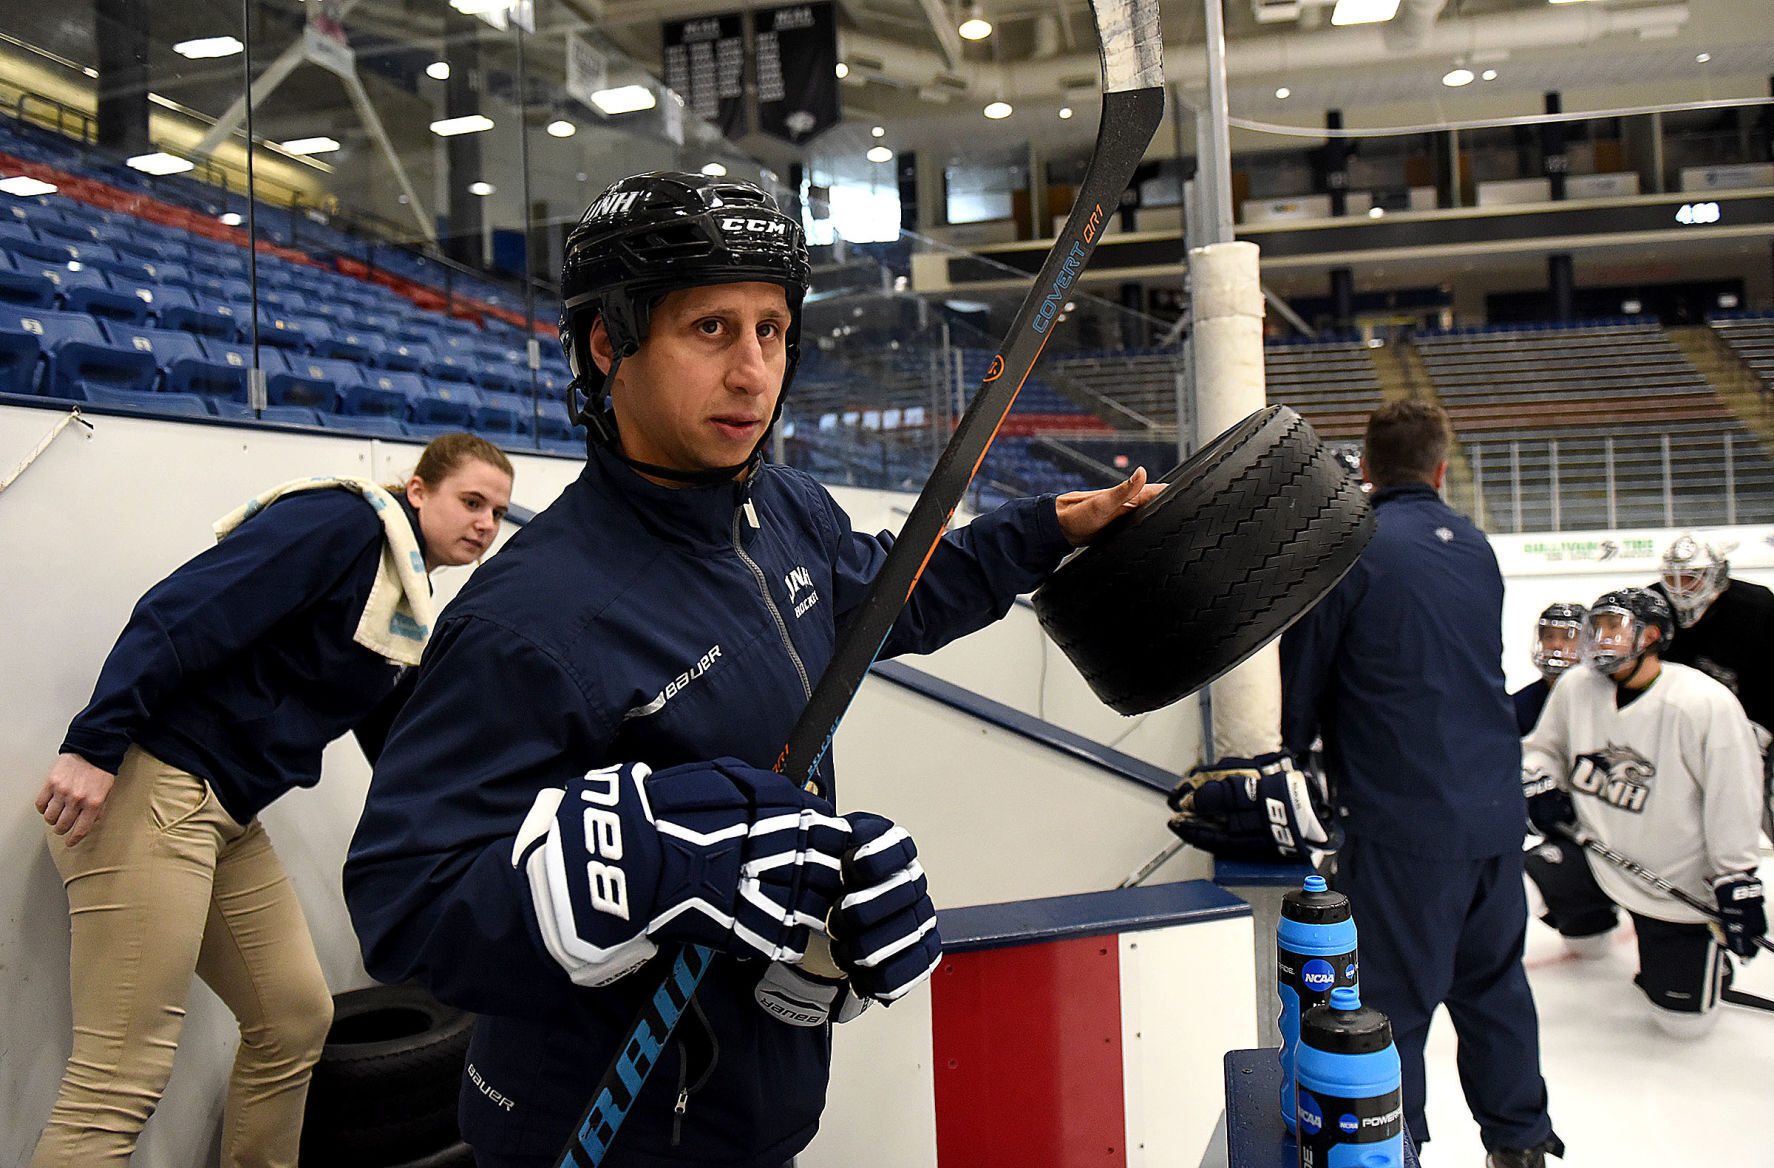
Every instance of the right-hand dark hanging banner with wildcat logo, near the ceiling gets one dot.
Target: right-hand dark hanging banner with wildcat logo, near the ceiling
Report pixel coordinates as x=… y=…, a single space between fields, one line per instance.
x=796 y=63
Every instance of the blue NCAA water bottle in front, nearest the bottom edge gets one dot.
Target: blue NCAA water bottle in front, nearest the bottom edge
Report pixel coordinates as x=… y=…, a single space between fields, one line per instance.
x=1351 y=1107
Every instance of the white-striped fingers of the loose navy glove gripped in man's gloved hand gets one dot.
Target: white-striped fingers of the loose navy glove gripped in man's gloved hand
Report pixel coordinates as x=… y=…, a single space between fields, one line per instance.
x=884 y=931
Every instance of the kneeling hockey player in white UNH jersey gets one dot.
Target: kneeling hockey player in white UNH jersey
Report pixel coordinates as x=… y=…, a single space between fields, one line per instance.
x=1656 y=761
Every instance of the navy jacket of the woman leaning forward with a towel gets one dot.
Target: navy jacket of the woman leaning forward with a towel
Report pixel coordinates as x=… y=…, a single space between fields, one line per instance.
x=240 y=667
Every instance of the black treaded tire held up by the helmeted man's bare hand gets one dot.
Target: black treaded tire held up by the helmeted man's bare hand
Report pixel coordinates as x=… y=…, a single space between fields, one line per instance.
x=1250 y=535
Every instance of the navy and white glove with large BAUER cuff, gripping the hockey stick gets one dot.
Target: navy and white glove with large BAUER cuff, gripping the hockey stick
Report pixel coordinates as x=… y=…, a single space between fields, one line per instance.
x=719 y=855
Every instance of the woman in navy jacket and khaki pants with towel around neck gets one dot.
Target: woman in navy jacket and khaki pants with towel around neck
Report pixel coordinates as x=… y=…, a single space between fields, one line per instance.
x=221 y=693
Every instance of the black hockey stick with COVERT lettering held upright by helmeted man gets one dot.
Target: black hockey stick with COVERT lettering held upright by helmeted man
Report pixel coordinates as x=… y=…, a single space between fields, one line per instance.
x=1131 y=49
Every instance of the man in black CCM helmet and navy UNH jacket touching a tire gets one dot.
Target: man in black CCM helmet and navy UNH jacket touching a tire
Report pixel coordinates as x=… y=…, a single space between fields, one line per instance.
x=583 y=777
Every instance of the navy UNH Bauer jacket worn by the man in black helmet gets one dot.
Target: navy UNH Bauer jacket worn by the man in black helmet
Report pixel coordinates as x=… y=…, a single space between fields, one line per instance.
x=631 y=624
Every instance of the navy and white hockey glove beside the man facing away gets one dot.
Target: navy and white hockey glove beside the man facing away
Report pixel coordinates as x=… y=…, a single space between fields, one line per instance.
x=1255 y=809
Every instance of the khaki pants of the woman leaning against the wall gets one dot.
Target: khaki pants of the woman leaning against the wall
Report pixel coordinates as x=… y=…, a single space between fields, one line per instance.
x=164 y=887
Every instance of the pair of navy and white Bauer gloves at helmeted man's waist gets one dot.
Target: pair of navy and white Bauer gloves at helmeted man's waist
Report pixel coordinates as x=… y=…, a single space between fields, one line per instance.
x=737 y=860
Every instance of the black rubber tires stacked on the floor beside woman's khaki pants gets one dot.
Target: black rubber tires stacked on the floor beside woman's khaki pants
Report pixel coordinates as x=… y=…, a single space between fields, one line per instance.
x=389 y=1078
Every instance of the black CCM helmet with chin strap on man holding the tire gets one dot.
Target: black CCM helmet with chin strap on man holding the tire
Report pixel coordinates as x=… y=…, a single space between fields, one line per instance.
x=655 y=233
